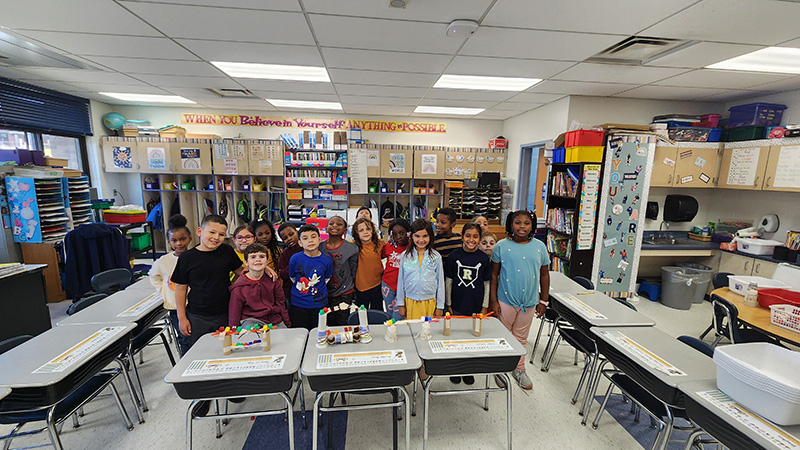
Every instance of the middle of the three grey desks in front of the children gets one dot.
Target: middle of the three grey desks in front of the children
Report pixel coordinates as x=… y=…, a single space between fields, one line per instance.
x=378 y=366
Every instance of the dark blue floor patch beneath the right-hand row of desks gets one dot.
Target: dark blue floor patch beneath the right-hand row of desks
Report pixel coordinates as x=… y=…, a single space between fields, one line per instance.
x=641 y=431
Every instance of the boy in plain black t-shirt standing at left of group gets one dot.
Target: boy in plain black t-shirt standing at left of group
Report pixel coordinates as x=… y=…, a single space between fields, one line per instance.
x=206 y=270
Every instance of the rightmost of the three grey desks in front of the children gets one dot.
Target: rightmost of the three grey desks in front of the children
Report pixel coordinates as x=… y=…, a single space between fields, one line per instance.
x=495 y=352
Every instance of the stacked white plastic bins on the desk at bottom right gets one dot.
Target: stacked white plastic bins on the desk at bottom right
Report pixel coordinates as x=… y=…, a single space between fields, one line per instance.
x=763 y=378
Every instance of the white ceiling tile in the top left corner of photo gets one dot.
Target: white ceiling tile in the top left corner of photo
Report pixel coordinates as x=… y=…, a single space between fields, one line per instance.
x=82 y=16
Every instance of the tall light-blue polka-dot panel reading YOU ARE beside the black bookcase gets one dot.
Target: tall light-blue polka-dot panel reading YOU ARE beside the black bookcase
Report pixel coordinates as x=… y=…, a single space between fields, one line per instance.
x=626 y=181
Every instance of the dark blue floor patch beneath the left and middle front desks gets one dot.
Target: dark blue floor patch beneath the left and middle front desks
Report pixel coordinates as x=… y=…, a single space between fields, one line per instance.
x=272 y=432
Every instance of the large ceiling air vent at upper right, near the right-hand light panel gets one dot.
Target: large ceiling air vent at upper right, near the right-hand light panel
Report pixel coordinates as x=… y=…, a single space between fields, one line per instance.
x=638 y=50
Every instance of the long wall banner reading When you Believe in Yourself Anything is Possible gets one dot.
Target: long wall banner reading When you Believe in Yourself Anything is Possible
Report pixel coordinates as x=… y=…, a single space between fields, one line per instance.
x=247 y=120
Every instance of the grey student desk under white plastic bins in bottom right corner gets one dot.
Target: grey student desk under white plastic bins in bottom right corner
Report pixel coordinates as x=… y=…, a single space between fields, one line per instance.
x=731 y=424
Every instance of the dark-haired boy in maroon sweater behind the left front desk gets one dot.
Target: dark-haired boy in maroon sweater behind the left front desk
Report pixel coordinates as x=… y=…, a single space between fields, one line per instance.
x=255 y=296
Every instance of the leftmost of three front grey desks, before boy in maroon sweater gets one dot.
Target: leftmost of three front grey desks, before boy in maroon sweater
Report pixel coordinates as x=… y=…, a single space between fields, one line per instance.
x=205 y=373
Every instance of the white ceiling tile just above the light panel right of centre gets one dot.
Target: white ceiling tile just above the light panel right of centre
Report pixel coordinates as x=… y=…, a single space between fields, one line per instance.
x=505 y=67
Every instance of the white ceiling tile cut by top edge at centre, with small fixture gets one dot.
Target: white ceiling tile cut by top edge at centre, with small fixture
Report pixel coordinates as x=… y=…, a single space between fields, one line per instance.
x=443 y=11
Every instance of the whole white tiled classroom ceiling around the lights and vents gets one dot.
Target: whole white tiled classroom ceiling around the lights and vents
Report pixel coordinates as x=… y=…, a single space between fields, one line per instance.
x=384 y=60
